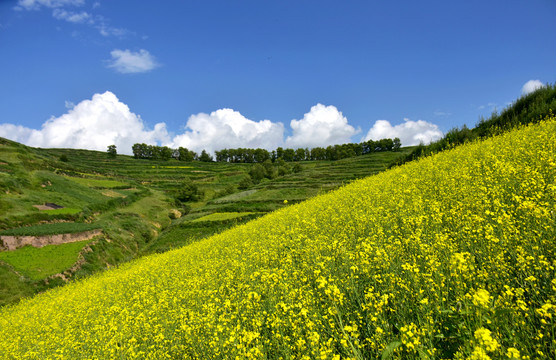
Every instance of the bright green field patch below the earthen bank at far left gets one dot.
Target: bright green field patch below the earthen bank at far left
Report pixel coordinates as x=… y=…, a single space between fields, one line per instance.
x=37 y=264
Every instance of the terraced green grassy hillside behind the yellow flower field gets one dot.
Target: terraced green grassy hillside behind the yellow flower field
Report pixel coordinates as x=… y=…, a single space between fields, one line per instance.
x=133 y=201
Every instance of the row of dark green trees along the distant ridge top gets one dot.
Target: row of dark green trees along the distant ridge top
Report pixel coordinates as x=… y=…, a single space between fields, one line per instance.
x=245 y=155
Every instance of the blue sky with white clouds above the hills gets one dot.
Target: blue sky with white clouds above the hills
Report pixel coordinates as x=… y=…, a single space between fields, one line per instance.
x=214 y=74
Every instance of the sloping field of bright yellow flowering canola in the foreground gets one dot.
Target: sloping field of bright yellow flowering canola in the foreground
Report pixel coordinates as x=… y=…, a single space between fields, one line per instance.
x=452 y=256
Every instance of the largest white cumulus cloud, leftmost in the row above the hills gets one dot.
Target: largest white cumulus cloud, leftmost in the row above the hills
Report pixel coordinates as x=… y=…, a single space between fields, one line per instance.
x=92 y=124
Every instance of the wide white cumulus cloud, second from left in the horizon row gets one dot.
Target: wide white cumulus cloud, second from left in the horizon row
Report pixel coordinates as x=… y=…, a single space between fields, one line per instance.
x=227 y=128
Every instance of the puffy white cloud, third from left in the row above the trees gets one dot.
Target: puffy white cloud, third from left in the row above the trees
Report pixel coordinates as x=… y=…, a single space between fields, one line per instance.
x=321 y=126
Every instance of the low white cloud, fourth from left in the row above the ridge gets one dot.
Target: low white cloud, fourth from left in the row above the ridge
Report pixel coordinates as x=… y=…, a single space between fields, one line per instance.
x=410 y=132
